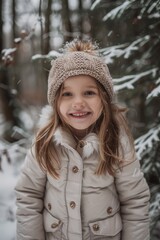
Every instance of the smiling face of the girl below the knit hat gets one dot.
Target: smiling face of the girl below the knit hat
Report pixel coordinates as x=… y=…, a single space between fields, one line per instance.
x=79 y=102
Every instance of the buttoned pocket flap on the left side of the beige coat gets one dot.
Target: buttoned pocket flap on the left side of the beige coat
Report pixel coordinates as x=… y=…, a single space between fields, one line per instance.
x=51 y=224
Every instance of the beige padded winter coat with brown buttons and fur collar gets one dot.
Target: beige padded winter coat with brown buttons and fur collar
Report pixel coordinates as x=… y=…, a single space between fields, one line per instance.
x=81 y=205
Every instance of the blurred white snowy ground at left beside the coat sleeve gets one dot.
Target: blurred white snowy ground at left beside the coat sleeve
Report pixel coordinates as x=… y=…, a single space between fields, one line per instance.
x=12 y=157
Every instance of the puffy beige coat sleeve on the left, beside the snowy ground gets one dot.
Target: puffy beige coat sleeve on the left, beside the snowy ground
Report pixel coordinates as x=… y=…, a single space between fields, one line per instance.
x=30 y=190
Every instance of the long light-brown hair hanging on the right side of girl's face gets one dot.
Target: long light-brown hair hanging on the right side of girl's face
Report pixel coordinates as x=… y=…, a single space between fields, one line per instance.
x=111 y=127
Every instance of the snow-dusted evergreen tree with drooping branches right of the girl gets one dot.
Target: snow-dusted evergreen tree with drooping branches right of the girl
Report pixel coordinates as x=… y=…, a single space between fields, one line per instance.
x=133 y=57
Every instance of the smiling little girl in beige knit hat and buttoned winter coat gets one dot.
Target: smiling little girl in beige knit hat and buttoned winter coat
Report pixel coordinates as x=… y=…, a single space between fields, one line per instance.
x=81 y=180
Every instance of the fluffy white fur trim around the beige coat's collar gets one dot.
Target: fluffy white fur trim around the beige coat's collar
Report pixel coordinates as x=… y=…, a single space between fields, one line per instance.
x=64 y=138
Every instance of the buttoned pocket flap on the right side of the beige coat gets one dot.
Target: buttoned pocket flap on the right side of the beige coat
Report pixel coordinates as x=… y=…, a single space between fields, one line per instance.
x=107 y=227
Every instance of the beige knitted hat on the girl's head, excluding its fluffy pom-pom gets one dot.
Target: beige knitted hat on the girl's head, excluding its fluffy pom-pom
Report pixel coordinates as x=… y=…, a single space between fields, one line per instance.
x=78 y=63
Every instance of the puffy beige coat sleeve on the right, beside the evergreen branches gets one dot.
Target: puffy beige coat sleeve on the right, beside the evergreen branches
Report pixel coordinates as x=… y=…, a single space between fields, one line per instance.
x=134 y=198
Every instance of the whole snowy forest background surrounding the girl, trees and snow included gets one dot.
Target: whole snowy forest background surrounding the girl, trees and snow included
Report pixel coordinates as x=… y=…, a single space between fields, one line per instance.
x=31 y=33
